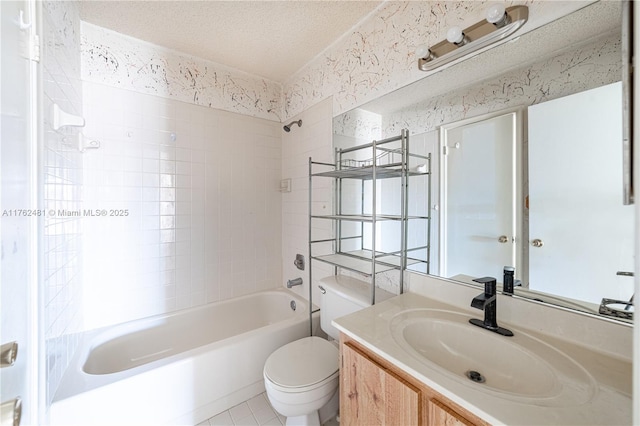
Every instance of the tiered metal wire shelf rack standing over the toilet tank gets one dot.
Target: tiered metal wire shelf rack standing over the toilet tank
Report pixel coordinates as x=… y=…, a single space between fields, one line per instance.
x=385 y=159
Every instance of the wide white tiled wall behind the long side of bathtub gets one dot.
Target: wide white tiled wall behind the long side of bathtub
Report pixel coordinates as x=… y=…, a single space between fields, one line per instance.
x=200 y=188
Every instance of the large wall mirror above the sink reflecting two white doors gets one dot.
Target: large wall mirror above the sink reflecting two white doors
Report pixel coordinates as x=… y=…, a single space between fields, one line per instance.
x=527 y=166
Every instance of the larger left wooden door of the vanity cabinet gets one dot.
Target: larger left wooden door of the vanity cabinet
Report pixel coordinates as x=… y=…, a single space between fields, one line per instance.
x=372 y=395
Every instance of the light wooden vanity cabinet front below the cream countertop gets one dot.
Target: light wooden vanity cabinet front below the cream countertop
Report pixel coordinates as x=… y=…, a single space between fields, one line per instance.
x=374 y=392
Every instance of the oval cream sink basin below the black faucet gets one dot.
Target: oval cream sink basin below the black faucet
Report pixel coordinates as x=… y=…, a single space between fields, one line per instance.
x=521 y=367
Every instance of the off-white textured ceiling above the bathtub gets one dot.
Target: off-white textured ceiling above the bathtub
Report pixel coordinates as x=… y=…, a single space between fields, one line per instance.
x=272 y=39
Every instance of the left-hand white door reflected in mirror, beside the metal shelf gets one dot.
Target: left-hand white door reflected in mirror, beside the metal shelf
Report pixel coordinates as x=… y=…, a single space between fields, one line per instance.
x=478 y=193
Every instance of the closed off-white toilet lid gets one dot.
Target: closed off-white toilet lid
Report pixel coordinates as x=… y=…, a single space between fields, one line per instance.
x=302 y=363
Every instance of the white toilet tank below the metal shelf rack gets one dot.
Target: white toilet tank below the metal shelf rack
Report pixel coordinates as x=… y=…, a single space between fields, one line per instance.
x=344 y=295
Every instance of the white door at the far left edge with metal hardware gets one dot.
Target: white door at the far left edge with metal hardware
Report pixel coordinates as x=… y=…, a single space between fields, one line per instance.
x=16 y=226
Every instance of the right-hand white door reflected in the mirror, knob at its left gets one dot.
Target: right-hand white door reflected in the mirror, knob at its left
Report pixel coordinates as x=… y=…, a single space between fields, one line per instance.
x=575 y=157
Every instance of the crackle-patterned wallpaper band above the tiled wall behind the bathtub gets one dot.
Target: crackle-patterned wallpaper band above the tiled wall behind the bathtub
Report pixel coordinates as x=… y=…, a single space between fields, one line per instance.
x=120 y=61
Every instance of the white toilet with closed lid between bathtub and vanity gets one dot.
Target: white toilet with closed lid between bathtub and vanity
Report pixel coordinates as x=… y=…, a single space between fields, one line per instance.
x=302 y=377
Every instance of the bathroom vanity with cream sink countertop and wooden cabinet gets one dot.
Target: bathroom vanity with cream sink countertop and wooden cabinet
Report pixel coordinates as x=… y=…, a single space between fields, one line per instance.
x=417 y=360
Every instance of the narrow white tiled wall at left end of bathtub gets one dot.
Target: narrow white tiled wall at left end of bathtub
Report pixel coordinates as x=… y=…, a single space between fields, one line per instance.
x=62 y=240
